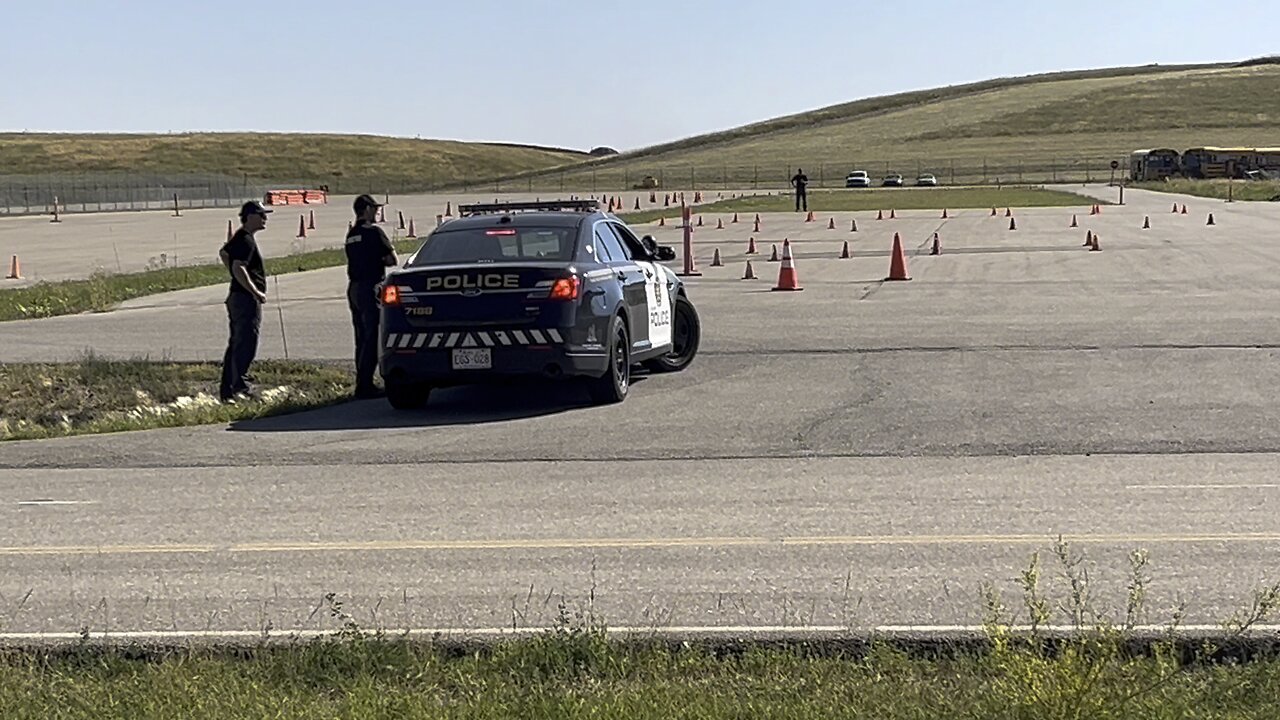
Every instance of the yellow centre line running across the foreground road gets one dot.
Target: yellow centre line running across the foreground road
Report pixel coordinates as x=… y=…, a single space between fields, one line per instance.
x=641 y=544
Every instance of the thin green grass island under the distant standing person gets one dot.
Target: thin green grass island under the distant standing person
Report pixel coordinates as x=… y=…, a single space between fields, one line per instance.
x=884 y=199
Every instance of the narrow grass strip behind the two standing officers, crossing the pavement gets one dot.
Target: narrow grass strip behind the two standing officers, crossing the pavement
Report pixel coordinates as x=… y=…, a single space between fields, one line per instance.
x=103 y=291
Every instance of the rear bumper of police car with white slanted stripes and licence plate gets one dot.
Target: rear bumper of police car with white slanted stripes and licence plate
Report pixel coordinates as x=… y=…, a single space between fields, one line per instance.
x=478 y=362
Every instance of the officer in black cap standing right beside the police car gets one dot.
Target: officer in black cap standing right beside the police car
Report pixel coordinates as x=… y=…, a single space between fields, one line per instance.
x=369 y=254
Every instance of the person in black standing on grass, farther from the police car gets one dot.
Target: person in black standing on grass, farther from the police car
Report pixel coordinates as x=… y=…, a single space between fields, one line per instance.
x=244 y=300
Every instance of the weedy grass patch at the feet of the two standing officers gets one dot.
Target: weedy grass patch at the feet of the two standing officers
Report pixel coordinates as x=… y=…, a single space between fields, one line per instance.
x=102 y=397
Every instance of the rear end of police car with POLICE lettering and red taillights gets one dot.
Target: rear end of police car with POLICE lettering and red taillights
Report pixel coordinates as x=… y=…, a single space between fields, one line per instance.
x=488 y=297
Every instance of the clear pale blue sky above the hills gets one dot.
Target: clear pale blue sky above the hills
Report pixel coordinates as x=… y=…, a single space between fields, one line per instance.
x=555 y=72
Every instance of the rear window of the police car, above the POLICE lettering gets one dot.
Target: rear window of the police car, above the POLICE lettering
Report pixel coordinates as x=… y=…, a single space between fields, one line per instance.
x=497 y=245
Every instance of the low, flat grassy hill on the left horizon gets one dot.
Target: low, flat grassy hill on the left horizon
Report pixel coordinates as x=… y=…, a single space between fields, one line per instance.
x=365 y=163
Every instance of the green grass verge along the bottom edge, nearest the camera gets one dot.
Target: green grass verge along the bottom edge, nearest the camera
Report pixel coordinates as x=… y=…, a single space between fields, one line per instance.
x=566 y=676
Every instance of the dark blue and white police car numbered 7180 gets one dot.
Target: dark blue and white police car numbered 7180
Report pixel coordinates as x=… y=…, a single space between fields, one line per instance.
x=559 y=290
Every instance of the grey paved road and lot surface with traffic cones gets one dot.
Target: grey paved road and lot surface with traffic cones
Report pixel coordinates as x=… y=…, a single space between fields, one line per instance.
x=861 y=453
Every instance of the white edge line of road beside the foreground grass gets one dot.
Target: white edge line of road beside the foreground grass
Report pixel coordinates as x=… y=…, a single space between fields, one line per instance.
x=612 y=631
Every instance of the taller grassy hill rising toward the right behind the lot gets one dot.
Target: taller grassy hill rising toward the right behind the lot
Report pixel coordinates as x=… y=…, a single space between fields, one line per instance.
x=1036 y=129
